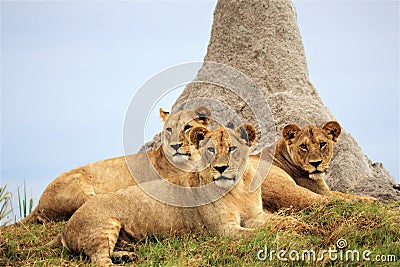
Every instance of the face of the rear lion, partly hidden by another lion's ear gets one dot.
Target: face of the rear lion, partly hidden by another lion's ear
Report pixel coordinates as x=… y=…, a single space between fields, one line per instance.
x=177 y=126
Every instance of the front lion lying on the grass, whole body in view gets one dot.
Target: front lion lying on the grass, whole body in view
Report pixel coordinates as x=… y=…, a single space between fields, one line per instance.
x=131 y=213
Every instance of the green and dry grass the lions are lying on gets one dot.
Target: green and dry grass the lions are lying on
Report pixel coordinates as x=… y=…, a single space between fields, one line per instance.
x=364 y=227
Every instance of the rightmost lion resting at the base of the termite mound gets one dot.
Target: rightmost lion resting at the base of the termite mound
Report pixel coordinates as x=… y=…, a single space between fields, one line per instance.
x=301 y=158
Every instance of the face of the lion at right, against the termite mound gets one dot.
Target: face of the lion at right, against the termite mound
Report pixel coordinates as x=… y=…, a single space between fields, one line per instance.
x=311 y=147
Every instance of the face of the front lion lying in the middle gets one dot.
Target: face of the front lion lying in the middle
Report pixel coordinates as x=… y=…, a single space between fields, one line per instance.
x=225 y=152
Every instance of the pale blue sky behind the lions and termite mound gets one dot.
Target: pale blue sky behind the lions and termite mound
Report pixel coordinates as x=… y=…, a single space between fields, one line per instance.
x=69 y=70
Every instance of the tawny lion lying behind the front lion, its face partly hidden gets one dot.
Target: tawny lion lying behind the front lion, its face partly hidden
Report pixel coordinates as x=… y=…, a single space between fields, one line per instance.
x=64 y=195
